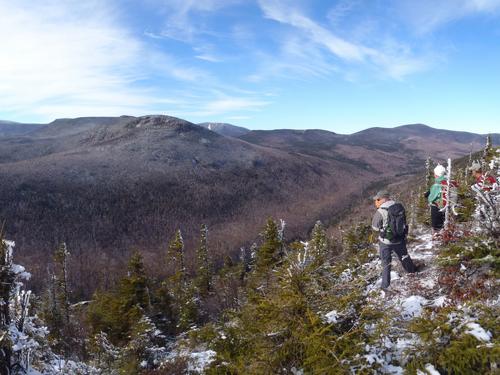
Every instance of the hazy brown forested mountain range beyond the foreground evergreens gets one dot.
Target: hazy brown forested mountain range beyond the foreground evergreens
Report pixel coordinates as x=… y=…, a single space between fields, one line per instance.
x=106 y=185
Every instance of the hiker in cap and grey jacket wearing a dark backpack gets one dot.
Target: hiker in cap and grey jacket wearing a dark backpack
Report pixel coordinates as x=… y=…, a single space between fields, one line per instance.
x=387 y=242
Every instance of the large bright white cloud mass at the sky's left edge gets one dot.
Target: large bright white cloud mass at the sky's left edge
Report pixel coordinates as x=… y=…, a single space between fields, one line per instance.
x=76 y=59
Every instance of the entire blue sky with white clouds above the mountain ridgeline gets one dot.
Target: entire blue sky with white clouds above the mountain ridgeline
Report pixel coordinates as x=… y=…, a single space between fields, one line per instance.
x=263 y=64
